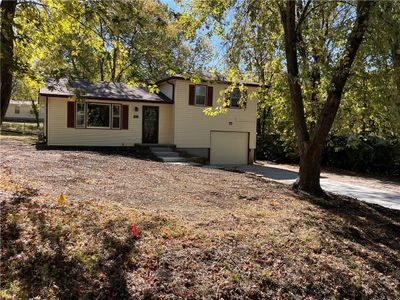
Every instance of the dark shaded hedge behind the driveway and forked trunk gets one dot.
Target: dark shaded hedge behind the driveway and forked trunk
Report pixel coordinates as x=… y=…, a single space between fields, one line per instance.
x=369 y=154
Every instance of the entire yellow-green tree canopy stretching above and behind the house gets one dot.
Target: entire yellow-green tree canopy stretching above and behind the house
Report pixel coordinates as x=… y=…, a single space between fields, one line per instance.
x=325 y=67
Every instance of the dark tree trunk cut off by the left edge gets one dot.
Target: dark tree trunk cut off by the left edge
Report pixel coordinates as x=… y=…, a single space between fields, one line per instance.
x=7 y=55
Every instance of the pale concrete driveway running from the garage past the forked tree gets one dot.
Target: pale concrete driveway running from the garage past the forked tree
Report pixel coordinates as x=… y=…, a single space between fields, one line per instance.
x=372 y=195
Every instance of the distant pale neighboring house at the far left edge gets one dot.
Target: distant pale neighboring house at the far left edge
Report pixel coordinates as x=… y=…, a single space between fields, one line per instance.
x=21 y=111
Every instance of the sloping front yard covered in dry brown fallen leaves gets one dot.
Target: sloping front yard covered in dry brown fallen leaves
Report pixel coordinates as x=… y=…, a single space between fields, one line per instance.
x=206 y=233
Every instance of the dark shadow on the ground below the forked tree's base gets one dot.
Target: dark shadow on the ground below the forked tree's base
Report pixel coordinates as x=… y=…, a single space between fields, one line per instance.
x=371 y=226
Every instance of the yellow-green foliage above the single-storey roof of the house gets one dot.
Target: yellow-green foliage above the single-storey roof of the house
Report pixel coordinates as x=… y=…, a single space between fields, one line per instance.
x=122 y=41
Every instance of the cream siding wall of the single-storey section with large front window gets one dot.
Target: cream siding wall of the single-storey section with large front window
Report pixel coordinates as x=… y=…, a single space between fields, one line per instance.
x=60 y=135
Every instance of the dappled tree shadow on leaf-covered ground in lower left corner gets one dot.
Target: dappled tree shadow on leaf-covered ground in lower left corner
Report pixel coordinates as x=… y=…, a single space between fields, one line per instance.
x=50 y=263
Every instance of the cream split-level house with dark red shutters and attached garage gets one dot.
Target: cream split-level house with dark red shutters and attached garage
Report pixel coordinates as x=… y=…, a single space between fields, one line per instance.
x=114 y=114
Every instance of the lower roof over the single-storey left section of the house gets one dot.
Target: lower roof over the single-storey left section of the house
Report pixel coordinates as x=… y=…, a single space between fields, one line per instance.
x=101 y=90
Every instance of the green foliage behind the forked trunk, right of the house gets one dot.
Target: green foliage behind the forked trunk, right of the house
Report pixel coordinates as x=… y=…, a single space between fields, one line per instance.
x=370 y=106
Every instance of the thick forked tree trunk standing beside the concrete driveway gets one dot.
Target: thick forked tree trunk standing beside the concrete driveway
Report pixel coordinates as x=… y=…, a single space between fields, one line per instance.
x=310 y=150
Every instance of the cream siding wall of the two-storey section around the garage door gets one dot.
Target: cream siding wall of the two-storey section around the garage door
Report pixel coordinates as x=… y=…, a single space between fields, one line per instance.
x=192 y=127
